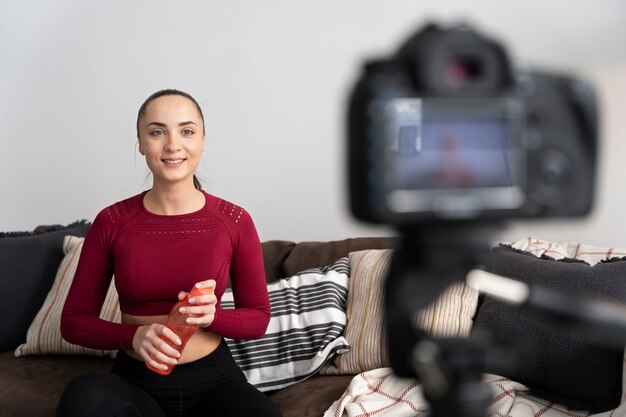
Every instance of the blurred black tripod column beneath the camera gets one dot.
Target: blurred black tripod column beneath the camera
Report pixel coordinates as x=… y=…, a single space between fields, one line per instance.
x=427 y=261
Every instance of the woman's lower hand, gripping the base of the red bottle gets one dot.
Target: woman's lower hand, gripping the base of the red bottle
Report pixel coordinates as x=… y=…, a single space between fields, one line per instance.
x=152 y=349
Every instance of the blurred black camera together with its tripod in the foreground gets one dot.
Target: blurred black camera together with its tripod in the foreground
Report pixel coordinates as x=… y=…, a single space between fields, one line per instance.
x=447 y=141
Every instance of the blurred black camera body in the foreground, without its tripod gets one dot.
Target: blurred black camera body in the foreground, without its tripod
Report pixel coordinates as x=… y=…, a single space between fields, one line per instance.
x=445 y=130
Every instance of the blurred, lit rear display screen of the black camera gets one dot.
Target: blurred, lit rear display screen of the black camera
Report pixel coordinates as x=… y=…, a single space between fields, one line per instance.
x=455 y=158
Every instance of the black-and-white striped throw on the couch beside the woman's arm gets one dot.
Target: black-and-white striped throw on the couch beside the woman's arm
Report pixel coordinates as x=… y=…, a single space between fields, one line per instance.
x=305 y=329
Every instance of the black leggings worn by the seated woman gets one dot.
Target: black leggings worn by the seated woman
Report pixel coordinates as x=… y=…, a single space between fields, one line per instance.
x=211 y=386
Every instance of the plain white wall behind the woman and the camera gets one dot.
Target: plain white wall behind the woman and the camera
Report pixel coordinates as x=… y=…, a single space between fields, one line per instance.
x=272 y=77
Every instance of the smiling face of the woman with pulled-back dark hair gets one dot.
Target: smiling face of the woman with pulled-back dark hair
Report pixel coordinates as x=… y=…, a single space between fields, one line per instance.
x=171 y=137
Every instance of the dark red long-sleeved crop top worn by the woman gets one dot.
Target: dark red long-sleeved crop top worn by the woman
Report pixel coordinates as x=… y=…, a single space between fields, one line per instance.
x=154 y=257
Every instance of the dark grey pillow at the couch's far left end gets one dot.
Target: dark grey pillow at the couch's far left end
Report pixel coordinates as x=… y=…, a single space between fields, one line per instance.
x=28 y=266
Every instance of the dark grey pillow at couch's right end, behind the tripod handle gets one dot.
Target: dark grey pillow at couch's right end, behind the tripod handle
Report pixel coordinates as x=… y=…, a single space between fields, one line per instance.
x=560 y=362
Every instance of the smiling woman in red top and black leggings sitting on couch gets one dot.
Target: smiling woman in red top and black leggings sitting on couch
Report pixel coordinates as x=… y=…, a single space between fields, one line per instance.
x=158 y=245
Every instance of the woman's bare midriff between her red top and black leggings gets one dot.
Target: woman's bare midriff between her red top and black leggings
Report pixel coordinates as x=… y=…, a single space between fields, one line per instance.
x=199 y=345
